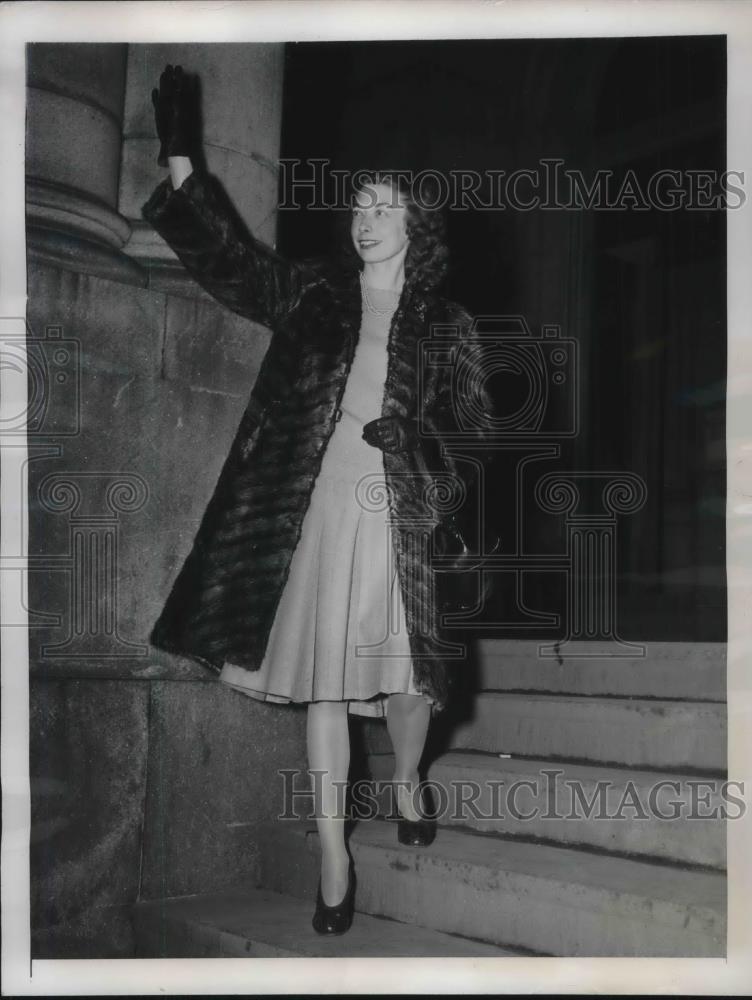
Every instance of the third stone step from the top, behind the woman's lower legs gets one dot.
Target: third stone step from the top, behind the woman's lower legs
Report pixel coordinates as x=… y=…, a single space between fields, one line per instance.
x=631 y=813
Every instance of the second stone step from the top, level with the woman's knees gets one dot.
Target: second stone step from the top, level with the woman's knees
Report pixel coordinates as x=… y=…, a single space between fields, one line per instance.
x=674 y=735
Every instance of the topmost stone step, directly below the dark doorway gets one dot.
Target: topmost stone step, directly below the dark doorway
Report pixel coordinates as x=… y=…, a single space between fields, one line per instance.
x=690 y=670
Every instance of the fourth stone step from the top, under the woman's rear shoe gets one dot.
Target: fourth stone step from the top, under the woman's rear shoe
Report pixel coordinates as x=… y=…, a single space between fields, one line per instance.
x=546 y=900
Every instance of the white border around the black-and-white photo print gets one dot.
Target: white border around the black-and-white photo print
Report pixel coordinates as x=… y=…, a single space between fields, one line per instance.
x=308 y=20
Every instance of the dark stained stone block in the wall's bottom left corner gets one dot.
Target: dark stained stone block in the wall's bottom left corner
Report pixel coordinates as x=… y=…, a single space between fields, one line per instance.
x=88 y=753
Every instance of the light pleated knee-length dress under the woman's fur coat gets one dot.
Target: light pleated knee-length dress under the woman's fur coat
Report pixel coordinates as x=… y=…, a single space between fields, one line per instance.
x=339 y=632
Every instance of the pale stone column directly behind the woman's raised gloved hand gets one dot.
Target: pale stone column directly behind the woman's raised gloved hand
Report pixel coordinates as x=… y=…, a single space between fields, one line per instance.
x=241 y=100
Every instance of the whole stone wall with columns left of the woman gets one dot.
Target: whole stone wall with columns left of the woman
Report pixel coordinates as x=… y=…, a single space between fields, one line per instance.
x=148 y=778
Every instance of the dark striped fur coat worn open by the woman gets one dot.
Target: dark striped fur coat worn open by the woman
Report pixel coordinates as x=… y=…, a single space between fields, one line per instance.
x=222 y=603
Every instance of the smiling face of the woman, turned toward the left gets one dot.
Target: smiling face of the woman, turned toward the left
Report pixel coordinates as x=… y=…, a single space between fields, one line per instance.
x=379 y=223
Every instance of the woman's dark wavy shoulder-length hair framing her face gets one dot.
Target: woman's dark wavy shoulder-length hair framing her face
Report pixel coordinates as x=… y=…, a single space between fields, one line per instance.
x=427 y=258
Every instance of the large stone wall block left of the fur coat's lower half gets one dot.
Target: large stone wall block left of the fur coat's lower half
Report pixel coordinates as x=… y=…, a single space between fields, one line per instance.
x=165 y=442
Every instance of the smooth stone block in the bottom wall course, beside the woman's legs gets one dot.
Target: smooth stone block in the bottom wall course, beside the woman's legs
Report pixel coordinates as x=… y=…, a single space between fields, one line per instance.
x=214 y=756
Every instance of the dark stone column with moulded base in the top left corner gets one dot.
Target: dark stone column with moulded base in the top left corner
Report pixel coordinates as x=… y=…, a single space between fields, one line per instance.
x=74 y=121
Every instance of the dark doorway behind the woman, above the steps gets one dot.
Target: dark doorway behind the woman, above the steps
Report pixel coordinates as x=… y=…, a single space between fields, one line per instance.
x=640 y=287
